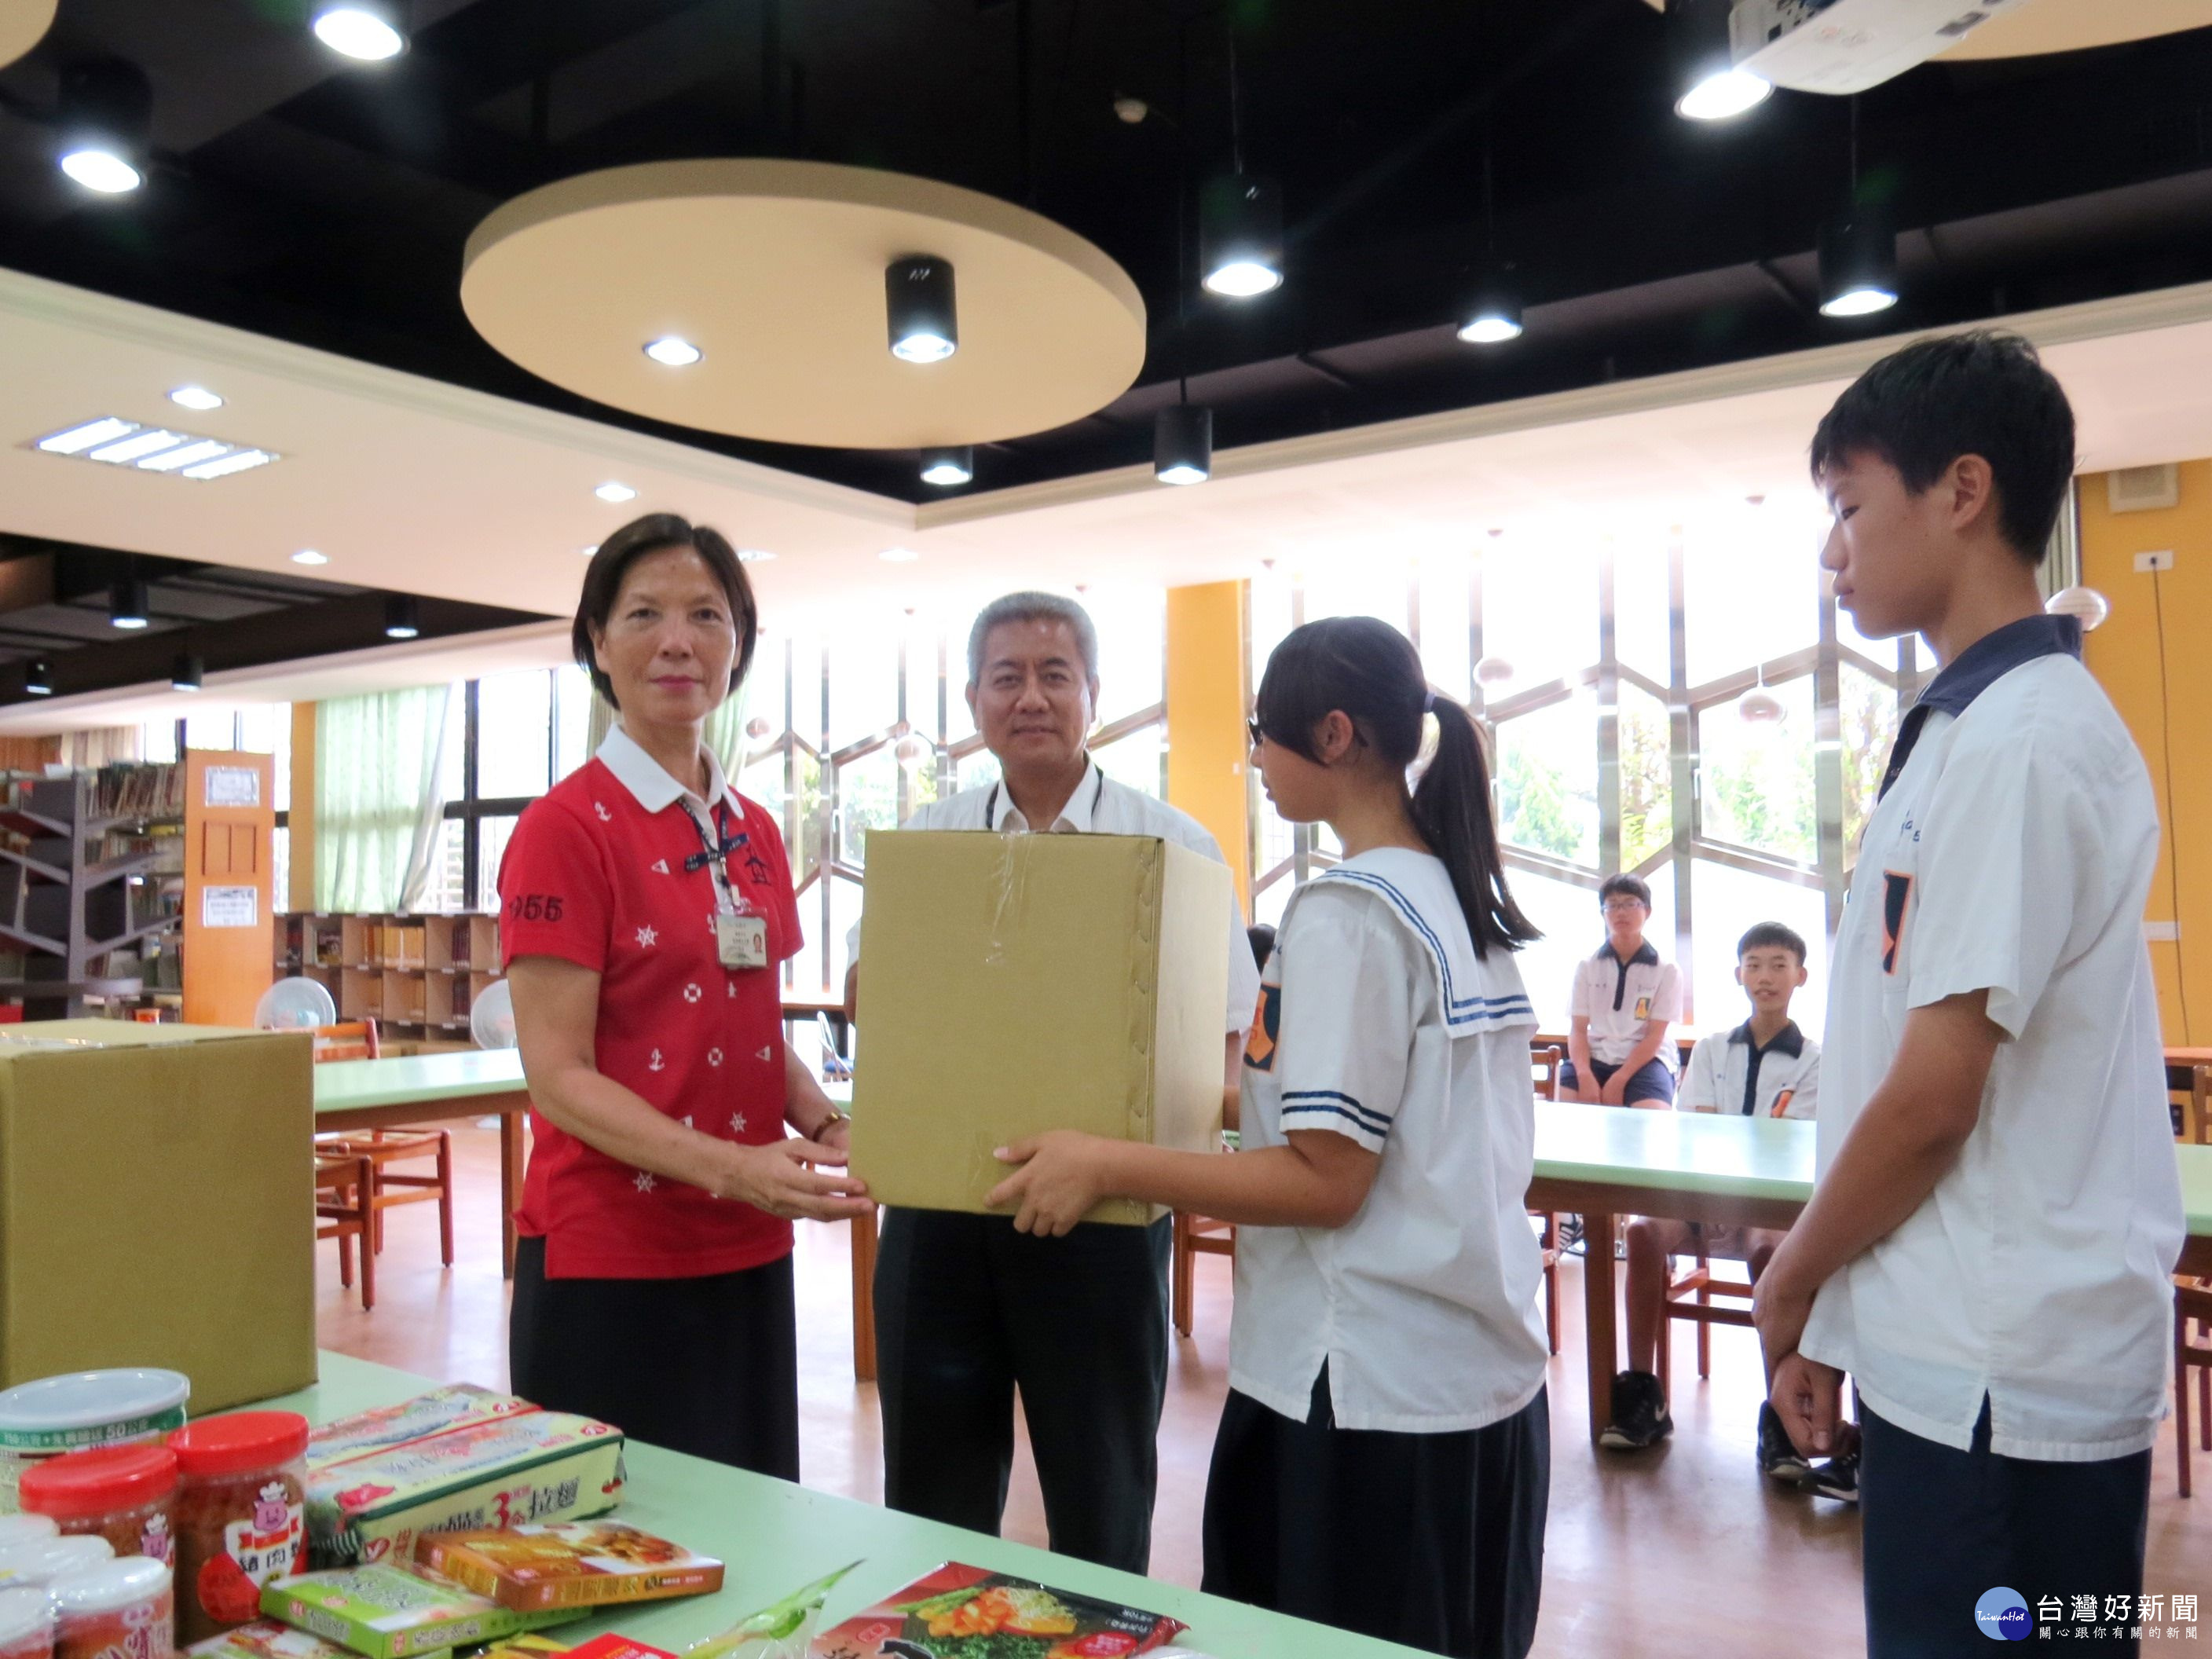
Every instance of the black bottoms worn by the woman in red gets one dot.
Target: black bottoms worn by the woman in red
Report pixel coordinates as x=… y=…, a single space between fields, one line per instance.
x=702 y=1366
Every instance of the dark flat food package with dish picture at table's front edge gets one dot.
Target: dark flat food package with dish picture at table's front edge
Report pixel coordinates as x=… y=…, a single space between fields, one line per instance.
x=974 y=1614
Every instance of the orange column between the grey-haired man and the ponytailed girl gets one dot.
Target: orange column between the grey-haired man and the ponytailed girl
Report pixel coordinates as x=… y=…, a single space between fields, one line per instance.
x=1209 y=698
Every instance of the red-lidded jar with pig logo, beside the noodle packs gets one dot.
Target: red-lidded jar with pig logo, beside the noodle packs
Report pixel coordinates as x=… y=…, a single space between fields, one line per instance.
x=242 y=1516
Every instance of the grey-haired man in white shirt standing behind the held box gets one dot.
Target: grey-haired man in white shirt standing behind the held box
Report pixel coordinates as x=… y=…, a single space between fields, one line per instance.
x=968 y=1311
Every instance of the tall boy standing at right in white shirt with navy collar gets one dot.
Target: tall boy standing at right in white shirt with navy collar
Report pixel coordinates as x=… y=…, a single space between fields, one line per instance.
x=1996 y=1218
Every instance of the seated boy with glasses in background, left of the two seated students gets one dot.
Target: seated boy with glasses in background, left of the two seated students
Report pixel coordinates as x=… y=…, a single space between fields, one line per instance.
x=1625 y=1001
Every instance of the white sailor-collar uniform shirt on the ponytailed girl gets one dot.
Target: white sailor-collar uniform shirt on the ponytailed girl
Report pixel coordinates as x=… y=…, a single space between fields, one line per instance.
x=1381 y=1025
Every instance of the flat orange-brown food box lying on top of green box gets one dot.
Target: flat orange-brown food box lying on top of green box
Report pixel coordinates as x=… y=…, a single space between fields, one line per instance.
x=570 y=1565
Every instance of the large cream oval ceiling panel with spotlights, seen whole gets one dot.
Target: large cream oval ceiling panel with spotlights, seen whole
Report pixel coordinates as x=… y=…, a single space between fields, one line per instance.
x=775 y=273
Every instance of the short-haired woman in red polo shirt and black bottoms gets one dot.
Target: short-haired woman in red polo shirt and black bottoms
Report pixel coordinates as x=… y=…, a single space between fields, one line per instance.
x=645 y=908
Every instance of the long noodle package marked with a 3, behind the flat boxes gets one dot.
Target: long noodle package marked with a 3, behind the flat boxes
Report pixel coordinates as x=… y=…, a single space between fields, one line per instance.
x=512 y=1470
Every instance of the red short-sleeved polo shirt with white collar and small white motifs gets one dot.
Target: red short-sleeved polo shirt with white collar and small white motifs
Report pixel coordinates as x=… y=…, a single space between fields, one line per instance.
x=596 y=875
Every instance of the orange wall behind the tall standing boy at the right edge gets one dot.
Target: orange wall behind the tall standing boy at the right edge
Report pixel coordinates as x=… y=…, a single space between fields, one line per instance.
x=2151 y=662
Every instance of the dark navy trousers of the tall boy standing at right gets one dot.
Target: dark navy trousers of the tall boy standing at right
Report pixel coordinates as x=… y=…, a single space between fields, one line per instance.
x=1945 y=1527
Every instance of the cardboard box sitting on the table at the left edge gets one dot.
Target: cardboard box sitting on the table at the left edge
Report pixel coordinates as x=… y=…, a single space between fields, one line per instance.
x=158 y=1204
